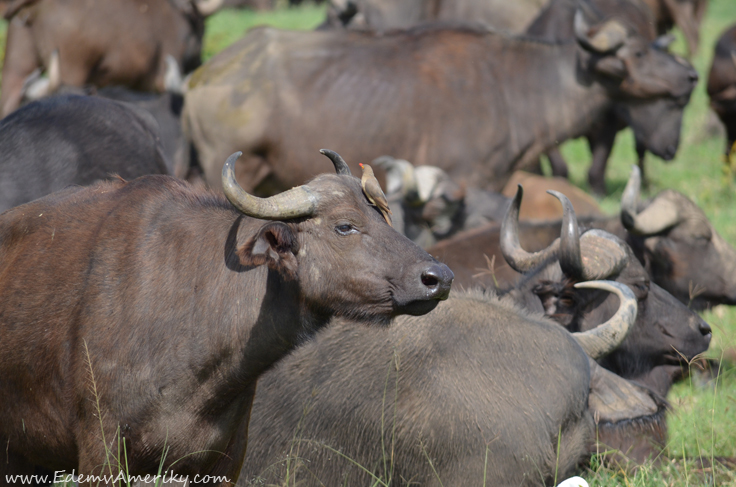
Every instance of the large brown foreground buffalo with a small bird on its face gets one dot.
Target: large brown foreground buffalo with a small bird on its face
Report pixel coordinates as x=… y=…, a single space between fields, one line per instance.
x=145 y=311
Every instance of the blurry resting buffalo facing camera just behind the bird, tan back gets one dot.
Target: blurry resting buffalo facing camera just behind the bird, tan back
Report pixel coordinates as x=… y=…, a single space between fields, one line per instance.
x=429 y=206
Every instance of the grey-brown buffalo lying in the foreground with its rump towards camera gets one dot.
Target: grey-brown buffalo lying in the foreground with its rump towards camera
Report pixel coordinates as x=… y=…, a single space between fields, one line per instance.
x=477 y=392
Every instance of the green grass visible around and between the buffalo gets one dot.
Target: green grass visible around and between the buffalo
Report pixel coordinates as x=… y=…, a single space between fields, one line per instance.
x=703 y=419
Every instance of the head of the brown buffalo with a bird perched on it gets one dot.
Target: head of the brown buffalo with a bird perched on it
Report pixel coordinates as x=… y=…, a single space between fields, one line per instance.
x=348 y=261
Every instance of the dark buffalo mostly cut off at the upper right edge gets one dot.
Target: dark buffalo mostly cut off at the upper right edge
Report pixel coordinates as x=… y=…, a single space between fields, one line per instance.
x=722 y=86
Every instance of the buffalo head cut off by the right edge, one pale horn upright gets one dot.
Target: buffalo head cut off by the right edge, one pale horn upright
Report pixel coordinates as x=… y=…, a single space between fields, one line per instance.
x=679 y=246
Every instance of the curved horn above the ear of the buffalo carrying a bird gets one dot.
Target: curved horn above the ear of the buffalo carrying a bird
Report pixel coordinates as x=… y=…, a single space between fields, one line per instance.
x=295 y=203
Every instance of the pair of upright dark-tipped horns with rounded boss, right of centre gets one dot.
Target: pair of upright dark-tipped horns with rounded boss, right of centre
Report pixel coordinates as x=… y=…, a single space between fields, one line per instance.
x=596 y=255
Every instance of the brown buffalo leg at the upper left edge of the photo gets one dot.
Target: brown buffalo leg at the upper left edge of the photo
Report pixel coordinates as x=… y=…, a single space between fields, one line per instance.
x=20 y=61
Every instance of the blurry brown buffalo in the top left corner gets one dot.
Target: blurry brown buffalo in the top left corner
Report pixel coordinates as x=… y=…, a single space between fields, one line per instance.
x=105 y=42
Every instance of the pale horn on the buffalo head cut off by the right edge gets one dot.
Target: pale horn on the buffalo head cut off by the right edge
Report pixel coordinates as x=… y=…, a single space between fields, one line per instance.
x=658 y=216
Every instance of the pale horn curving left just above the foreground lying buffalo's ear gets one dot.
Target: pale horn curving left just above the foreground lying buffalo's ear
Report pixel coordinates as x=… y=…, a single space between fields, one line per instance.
x=605 y=338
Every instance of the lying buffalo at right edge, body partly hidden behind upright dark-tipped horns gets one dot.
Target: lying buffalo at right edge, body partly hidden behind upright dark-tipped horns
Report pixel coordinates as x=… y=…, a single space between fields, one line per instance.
x=670 y=235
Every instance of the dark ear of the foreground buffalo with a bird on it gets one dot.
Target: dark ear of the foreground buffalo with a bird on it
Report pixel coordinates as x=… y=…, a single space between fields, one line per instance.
x=275 y=245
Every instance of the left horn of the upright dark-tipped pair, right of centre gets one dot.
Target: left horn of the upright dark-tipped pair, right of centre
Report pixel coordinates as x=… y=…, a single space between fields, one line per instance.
x=519 y=259
